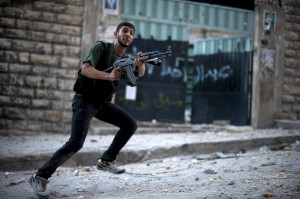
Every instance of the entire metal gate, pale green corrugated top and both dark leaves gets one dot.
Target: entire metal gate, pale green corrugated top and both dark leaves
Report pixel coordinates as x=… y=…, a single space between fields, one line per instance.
x=213 y=81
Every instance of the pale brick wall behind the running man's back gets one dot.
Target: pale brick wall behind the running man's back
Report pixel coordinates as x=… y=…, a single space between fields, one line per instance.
x=39 y=55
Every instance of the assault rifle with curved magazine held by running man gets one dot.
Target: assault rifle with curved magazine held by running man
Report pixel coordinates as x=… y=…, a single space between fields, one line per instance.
x=153 y=58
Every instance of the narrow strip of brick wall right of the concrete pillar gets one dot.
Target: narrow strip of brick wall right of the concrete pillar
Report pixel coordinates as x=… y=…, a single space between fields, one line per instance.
x=291 y=87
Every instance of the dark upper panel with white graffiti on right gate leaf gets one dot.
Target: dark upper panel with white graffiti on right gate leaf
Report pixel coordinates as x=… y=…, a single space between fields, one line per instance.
x=221 y=72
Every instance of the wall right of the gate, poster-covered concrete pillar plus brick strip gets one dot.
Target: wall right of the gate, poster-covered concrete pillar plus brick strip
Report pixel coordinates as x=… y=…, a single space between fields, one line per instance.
x=275 y=93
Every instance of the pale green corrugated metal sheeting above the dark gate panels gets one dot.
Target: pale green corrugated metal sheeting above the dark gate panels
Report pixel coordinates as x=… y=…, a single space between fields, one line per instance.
x=163 y=18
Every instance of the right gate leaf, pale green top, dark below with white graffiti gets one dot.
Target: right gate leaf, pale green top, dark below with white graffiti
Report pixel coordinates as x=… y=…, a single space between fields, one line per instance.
x=222 y=80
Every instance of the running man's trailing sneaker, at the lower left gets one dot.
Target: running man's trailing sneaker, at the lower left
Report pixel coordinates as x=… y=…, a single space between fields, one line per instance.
x=39 y=186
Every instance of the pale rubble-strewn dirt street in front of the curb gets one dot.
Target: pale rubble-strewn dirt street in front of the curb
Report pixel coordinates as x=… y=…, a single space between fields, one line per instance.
x=263 y=173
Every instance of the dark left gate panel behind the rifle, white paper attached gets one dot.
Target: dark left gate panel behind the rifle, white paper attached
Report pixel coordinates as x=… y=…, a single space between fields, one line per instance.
x=160 y=94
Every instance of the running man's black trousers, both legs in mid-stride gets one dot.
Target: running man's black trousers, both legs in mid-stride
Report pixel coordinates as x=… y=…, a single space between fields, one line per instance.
x=83 y=112
